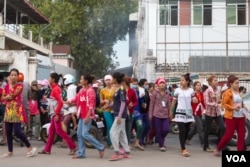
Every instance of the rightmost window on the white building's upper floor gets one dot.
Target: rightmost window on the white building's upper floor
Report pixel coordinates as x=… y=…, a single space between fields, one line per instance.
x=236 y=12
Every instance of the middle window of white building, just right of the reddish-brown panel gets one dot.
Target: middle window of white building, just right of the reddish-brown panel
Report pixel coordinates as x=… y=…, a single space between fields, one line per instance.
x=202 y=12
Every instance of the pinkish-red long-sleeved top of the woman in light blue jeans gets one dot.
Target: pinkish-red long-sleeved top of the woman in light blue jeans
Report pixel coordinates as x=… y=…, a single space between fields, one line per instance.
x=85 y=101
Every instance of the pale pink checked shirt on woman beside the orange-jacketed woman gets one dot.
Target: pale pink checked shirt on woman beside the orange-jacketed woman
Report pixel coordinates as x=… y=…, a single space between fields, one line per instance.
x=212 y=107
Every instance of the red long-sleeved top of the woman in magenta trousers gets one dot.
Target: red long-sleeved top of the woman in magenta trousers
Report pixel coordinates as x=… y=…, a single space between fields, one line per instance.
x=56 y=94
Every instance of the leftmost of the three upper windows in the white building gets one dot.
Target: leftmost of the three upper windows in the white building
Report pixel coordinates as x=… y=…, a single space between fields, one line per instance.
x=168 y=12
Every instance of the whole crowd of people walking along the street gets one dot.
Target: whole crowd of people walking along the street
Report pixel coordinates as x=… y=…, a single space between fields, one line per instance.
x=129 y=107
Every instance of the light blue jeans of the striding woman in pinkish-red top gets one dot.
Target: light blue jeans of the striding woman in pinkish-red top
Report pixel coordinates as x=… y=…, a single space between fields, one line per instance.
x=83 y=134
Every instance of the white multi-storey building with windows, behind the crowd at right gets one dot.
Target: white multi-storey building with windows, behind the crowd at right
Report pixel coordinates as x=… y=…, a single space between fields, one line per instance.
x=169 y=32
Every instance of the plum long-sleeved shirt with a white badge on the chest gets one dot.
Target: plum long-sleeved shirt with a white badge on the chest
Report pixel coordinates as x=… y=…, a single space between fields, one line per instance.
x=159 y=105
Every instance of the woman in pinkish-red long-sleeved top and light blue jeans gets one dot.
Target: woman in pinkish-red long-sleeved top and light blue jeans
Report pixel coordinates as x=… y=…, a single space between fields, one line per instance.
x=86 y=101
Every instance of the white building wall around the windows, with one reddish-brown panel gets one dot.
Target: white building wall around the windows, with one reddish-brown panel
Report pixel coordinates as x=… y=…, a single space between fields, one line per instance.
x=174 y=44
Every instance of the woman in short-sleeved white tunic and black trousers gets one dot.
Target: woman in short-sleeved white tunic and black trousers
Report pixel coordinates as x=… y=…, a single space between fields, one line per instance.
x=184 y=114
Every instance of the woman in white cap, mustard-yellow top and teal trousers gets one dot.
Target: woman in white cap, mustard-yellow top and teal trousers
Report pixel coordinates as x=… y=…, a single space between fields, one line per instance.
x=106 y=99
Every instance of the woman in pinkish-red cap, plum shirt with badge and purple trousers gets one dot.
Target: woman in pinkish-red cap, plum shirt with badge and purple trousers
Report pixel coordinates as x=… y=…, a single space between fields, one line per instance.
x=159 y=112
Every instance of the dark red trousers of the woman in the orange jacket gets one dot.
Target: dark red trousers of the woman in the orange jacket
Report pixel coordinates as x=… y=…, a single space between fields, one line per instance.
x=237 y=124
